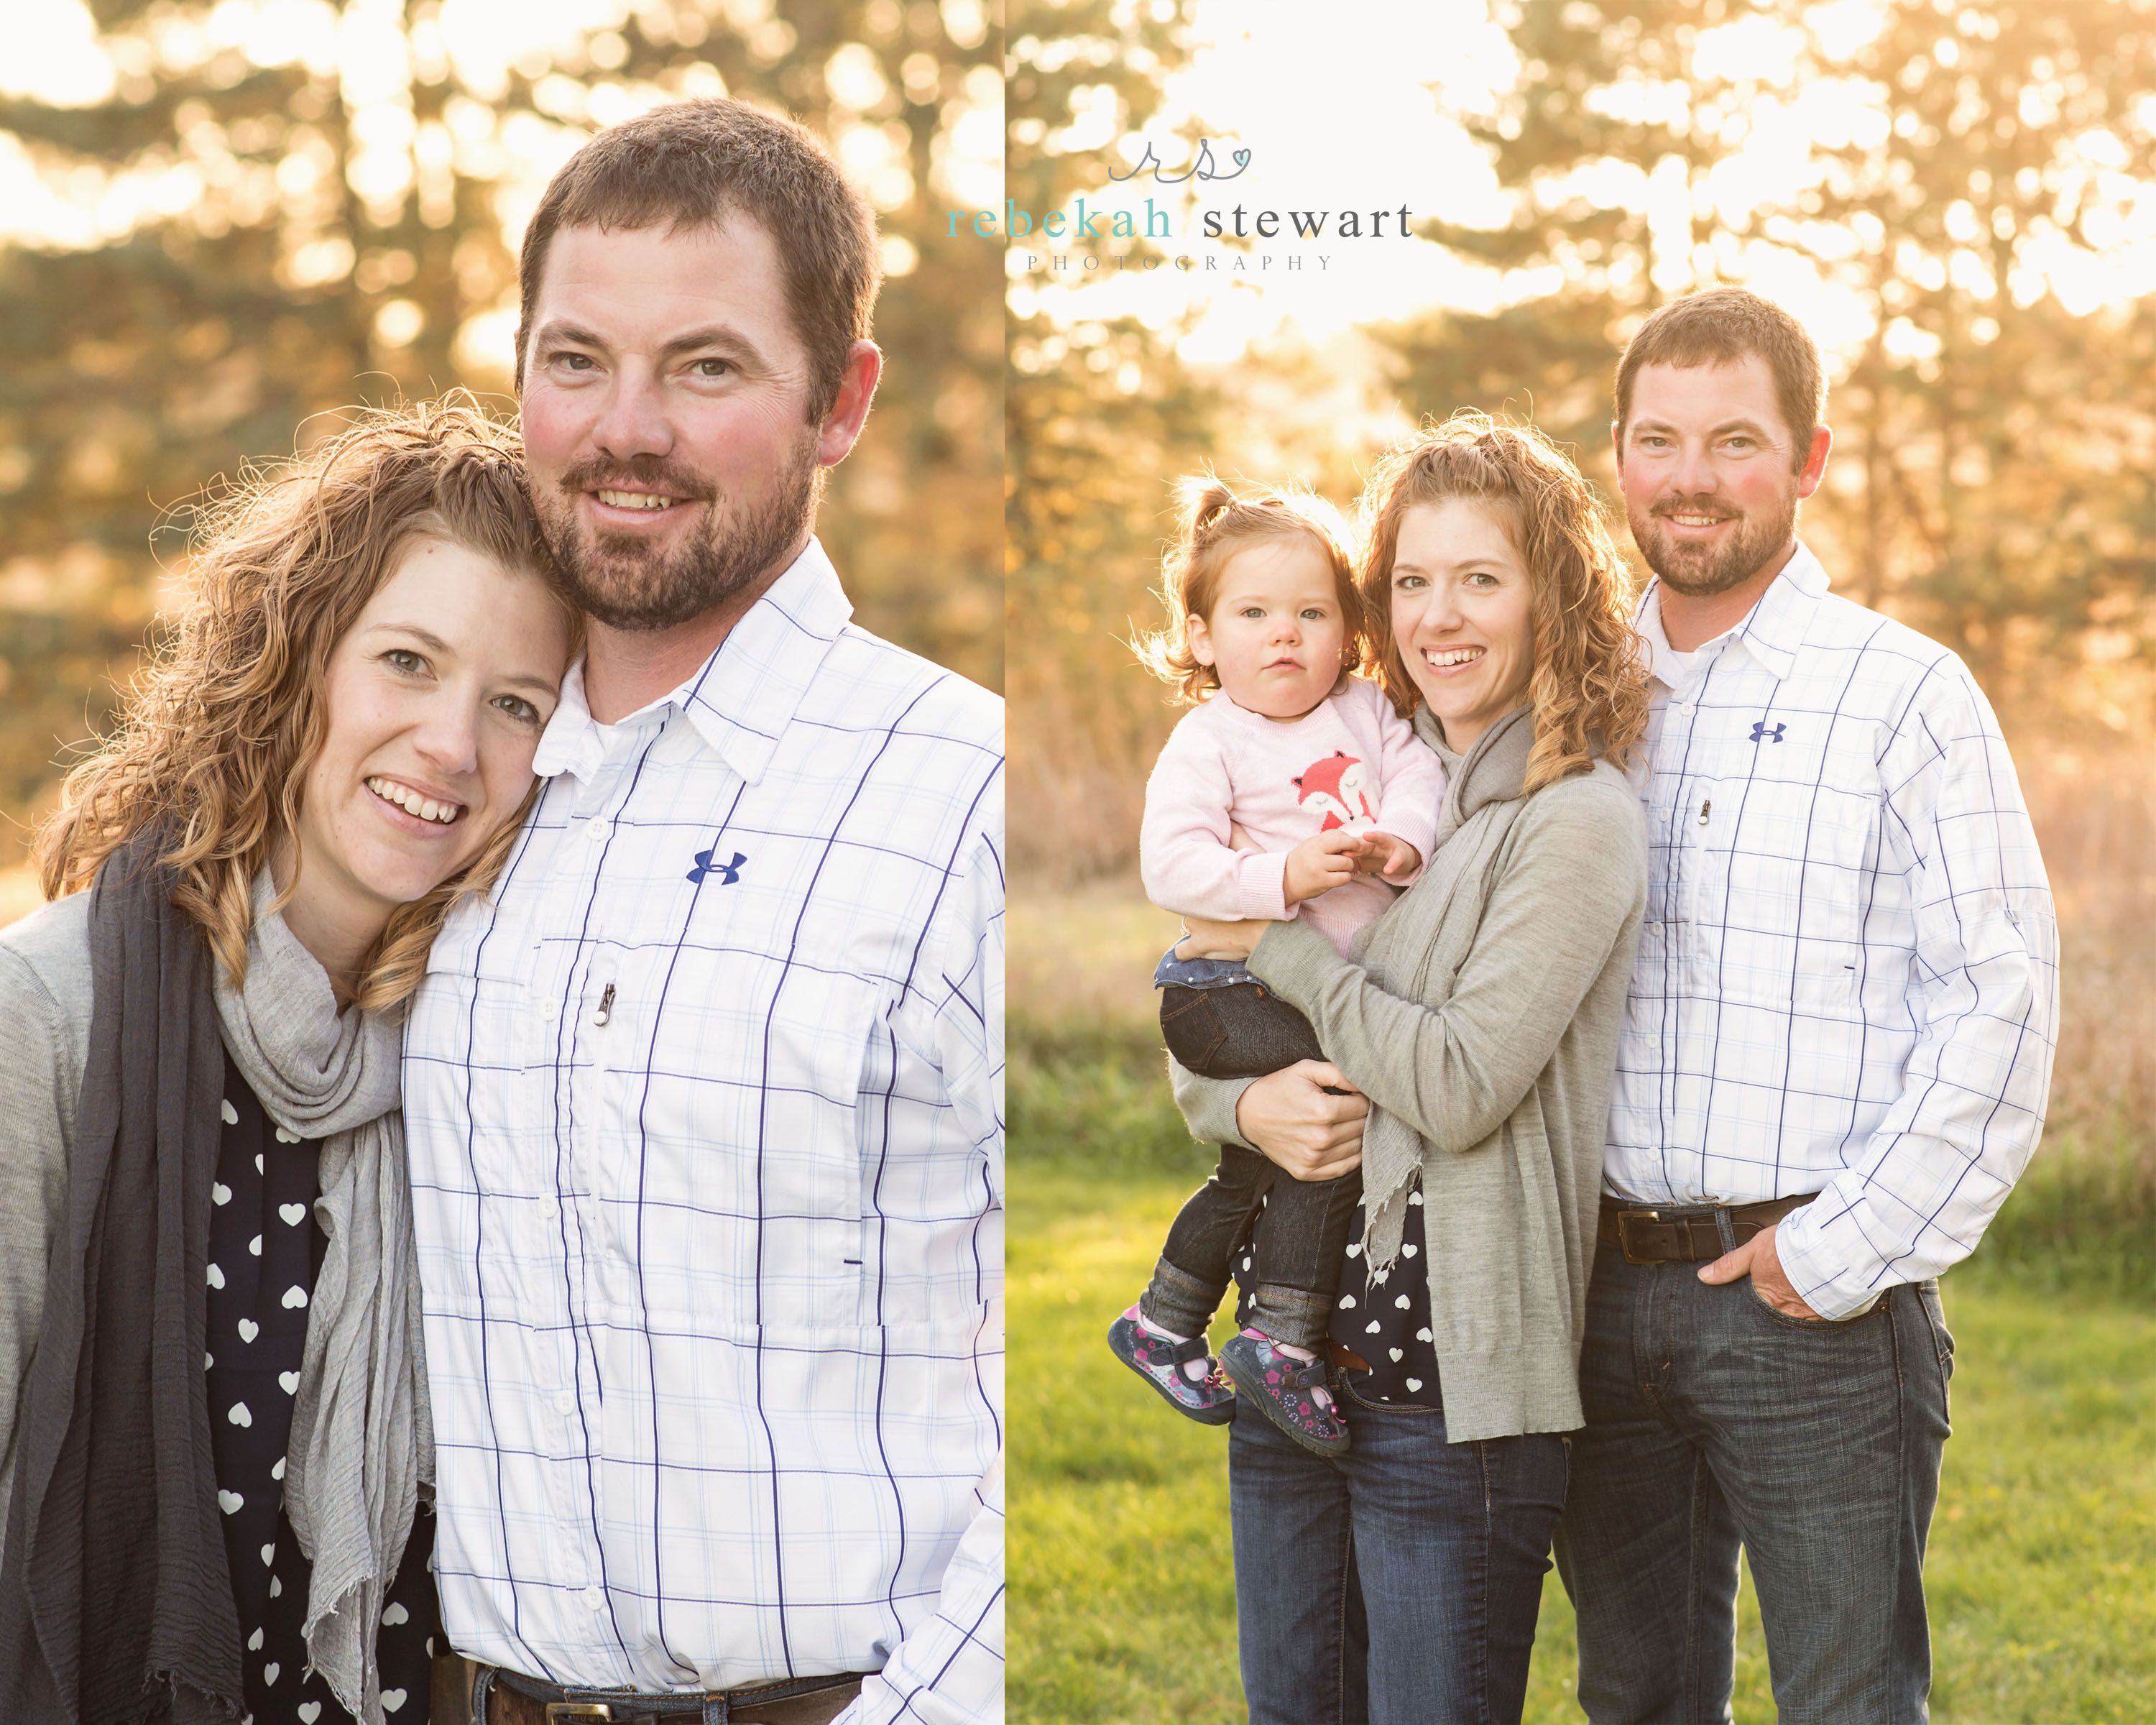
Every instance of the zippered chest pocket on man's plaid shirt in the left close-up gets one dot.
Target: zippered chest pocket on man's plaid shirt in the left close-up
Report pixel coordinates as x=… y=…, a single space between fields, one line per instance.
x=730 y=1086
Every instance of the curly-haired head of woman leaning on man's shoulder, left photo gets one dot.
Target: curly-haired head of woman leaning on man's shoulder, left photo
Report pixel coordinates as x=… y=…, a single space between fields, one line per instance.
x=374 y=611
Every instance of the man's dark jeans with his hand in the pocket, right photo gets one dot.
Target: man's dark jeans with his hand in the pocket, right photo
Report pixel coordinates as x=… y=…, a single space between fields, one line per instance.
x=1715 y=1422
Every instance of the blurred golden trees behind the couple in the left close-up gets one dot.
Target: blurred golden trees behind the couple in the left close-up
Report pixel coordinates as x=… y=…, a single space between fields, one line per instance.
x=301 y=206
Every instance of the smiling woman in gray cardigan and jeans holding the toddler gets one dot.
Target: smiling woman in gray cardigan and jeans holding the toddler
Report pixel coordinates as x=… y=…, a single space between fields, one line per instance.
x=1469 y=1040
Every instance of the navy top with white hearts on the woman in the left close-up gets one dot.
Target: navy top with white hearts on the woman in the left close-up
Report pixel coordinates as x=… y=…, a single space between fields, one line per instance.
x=264 y=1254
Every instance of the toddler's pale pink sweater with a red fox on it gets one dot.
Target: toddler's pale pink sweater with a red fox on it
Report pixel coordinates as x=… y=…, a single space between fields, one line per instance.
x=1349 y=762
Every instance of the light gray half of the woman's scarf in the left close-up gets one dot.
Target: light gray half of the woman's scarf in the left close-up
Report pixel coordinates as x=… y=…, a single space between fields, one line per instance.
x=361 y=1426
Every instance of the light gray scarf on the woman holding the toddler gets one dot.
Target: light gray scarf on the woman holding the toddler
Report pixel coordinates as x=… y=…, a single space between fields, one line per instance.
x=1482 y=799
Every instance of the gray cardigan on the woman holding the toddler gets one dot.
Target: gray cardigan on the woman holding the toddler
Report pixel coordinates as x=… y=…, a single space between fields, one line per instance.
x=1504 y=1071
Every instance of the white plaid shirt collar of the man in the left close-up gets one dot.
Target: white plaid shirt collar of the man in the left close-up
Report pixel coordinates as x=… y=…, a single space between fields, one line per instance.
x=743 y=698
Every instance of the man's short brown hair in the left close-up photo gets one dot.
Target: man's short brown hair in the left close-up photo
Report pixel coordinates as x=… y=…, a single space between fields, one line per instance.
x=695 y=165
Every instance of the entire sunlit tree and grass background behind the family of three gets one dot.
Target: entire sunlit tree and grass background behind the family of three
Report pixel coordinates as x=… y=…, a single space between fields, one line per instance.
x=1961 y=204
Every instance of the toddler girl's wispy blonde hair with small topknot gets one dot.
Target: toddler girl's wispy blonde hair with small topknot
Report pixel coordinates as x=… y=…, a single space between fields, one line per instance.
x=1215 y=523
